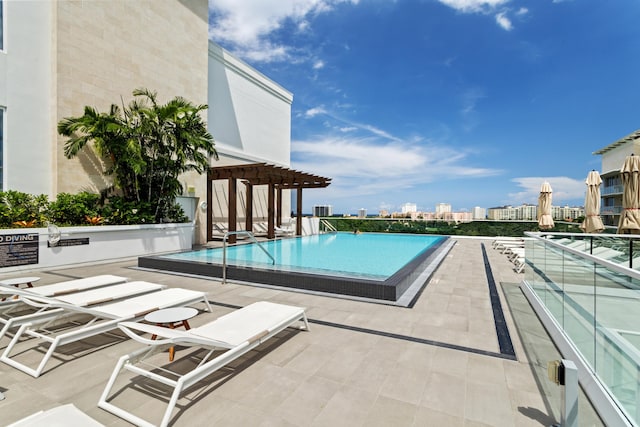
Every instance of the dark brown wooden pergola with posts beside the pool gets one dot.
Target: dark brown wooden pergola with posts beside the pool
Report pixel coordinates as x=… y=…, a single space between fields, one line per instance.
x=276 y=177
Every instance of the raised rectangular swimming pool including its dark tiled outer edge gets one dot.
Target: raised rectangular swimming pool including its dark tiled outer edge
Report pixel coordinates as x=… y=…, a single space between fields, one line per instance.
x=370 y=265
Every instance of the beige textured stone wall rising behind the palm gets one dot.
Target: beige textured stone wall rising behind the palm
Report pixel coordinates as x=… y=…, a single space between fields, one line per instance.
x=106 y=49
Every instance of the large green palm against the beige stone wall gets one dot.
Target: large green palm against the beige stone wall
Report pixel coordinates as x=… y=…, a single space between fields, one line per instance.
x=146 y=146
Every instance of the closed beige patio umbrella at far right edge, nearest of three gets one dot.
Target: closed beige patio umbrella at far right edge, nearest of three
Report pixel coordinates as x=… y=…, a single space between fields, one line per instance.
x=630 y=215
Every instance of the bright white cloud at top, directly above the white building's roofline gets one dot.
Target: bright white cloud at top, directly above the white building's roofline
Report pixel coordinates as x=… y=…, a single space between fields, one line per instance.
x=247 y=23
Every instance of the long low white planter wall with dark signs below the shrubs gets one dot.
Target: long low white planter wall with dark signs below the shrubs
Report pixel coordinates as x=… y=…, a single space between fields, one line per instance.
x=36 y=248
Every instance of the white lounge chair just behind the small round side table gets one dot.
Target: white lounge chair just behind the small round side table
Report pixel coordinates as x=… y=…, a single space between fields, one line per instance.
x=97 y=320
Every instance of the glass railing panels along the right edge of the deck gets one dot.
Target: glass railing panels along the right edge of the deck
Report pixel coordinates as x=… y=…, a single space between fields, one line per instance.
x=587 y=286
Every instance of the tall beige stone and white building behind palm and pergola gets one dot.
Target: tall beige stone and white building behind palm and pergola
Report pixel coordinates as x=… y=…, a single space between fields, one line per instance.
x=56 y=57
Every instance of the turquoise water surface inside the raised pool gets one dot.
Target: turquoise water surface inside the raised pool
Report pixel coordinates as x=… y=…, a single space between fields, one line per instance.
x=368 y=255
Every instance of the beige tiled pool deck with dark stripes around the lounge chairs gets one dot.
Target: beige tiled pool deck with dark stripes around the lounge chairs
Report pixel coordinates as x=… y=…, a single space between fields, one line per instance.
x=439 y=363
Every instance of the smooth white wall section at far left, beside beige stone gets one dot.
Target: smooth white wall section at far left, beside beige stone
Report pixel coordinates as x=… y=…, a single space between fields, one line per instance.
x=25 y=93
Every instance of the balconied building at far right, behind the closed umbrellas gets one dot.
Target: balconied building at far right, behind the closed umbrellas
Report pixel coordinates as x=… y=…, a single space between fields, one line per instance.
x=613 y=156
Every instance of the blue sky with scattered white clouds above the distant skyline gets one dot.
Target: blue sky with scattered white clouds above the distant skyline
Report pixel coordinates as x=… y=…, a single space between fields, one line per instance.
x=467 y=102
